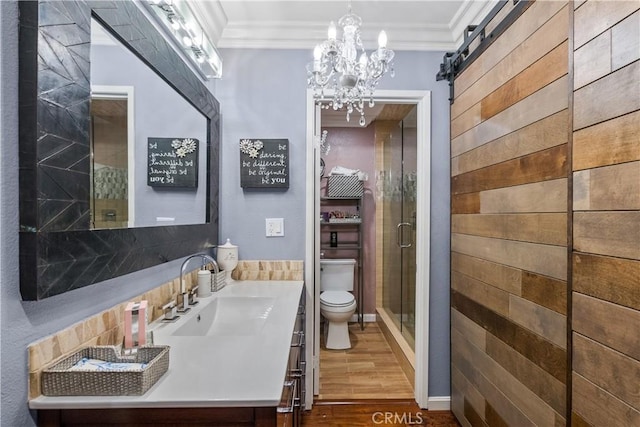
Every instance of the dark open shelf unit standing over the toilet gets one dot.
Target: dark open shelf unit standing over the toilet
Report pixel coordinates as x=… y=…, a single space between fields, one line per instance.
x=343 y=216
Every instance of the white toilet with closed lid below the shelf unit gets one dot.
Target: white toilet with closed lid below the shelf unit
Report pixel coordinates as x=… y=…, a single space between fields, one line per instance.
x=337 y=303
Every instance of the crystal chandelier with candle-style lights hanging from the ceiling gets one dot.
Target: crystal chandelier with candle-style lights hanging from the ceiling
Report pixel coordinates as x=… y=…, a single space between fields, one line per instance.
x=336 y=66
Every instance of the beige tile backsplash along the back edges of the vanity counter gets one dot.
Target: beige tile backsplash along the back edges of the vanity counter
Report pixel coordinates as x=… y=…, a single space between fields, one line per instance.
x=107 y=327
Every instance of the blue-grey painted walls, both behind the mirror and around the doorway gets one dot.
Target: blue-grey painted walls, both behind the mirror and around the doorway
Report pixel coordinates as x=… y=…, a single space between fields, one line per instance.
x=262 y=95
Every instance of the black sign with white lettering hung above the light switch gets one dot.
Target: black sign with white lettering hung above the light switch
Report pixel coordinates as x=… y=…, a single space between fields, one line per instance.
x=264 y=163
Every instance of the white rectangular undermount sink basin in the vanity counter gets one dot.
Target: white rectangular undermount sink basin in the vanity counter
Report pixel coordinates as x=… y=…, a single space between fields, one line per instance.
x=228 y=316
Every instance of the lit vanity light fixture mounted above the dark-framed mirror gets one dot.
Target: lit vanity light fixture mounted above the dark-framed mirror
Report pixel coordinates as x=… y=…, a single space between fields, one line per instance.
x=178 y=20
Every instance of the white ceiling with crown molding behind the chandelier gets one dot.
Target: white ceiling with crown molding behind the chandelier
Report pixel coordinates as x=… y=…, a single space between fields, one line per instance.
x=301 y=24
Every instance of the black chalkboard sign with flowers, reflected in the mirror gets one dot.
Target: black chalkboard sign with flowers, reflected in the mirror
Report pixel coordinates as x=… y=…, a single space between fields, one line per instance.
x=172 y=162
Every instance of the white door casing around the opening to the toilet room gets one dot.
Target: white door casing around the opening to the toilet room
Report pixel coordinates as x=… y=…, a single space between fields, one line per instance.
x=422 y=99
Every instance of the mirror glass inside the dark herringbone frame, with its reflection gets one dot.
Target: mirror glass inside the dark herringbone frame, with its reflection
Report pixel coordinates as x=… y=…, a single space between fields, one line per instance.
x=155 y=111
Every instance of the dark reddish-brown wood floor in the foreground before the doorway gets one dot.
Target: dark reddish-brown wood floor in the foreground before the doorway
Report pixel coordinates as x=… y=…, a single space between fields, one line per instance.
x=375 y=413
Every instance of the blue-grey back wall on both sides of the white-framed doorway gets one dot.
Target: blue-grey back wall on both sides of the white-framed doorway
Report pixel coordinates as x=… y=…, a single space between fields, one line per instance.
x=263 y=95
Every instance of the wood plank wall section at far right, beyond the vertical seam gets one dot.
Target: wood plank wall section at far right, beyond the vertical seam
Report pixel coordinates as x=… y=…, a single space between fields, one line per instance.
x=606 y=214
